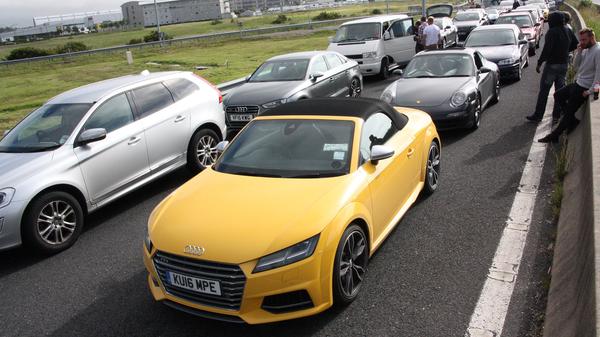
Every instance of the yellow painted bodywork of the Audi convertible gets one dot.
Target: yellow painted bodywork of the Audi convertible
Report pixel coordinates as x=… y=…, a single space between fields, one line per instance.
x=238 y=219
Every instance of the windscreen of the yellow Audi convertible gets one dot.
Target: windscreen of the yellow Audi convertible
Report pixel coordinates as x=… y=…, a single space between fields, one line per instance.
x=290 y=148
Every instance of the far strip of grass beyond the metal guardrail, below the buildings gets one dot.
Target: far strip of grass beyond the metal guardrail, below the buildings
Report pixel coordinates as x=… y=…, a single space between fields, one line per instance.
x=116 y=38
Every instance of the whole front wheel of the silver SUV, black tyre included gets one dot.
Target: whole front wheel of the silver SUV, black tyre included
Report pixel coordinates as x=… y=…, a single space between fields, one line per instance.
x=52 y=222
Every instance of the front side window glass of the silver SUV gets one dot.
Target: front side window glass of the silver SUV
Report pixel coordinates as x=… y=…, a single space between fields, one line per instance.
x=111 y=115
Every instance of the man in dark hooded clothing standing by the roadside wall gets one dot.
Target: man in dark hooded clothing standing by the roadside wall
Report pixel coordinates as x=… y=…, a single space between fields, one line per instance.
x=560 y=42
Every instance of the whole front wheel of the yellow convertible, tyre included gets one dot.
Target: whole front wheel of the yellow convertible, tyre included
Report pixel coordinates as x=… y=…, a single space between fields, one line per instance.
x=350 y=266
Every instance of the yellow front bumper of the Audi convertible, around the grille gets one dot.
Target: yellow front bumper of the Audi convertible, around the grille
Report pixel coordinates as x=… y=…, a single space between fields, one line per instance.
x=306 y=276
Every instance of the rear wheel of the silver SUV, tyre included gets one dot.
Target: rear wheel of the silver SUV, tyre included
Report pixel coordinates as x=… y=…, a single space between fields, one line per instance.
x=202 y=150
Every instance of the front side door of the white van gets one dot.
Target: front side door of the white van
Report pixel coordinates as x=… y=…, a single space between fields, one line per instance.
x=401 y=46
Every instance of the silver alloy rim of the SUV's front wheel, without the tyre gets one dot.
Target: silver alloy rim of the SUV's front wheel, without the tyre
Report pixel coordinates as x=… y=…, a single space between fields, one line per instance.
x=56 y=222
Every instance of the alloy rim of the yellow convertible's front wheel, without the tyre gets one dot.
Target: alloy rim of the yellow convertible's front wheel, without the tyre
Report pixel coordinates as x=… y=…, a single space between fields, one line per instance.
x=353 y=263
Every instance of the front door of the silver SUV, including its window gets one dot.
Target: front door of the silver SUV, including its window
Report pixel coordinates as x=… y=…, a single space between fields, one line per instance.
x=121 y=159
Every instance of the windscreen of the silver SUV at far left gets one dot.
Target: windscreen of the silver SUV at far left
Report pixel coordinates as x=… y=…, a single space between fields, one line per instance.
x=45 y=129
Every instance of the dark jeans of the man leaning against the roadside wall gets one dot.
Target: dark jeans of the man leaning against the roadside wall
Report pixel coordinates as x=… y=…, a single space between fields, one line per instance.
x=570 y=99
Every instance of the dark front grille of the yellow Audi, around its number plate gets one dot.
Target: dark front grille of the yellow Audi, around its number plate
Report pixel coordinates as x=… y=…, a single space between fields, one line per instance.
x=231 y=278
